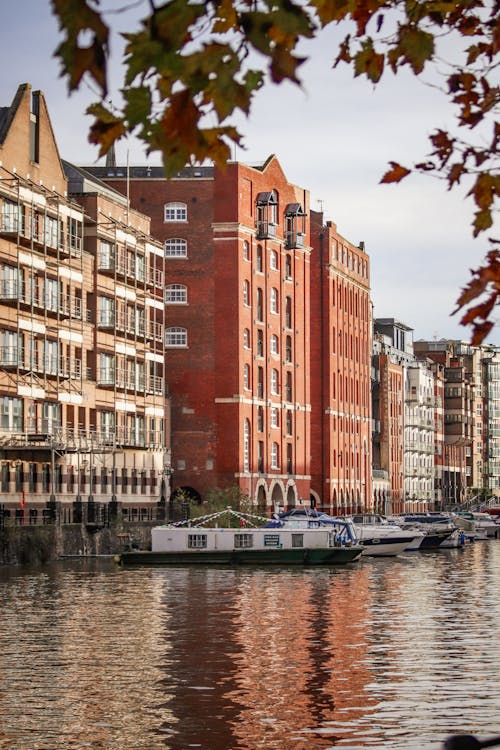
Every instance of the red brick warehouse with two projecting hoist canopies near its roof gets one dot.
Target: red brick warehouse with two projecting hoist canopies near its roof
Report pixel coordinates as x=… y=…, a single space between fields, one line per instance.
x=237 y=266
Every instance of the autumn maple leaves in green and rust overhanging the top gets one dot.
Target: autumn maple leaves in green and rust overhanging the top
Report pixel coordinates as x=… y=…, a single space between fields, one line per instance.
x=192 y=65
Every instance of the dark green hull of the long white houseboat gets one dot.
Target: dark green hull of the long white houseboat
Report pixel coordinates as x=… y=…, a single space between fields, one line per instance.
x=299 y=556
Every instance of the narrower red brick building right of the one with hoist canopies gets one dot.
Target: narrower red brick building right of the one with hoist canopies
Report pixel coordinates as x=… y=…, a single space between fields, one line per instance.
x=340 y=371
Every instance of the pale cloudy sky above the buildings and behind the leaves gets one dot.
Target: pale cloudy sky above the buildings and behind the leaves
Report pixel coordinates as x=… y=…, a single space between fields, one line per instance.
x=334 y=136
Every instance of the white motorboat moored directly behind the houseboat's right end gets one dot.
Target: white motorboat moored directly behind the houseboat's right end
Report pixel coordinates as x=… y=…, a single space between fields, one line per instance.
x=380 y=538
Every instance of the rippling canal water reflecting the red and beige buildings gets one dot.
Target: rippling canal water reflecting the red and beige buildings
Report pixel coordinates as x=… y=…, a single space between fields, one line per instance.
x=387 y=653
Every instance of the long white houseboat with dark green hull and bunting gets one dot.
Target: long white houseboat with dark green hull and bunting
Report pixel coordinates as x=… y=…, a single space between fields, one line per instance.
x=194 y=542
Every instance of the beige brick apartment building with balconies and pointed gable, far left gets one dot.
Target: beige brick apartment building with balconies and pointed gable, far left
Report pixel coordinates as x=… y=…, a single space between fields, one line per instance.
x=84 y=415
